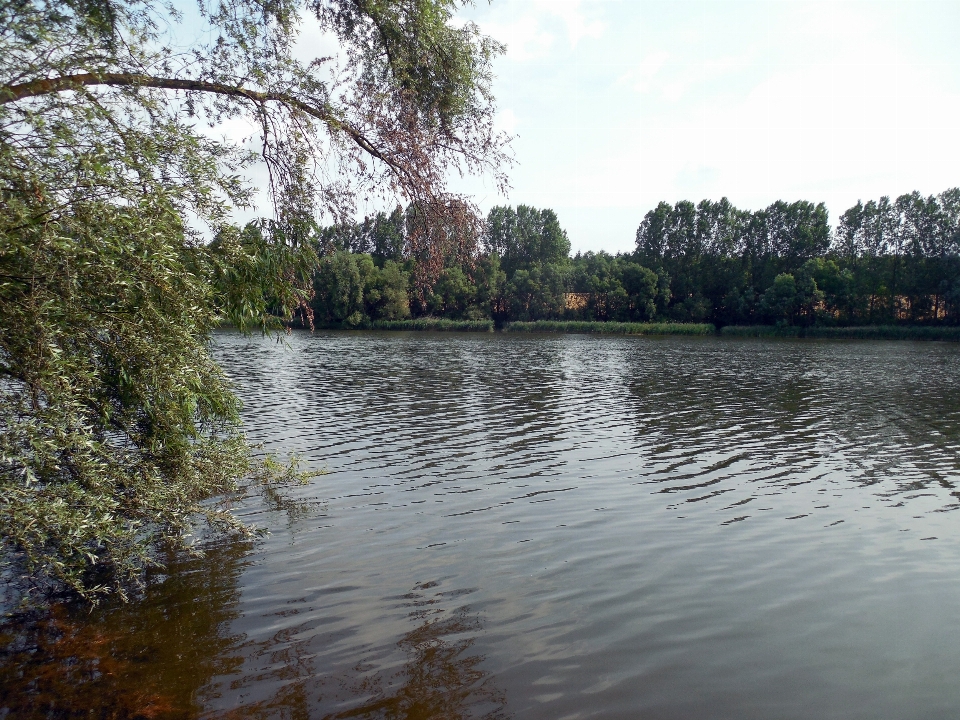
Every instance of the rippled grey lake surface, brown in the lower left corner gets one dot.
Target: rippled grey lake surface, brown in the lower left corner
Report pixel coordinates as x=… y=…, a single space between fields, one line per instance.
x=564 y=527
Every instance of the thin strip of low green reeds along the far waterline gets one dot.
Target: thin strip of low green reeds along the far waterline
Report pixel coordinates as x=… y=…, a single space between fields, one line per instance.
x=587 y=327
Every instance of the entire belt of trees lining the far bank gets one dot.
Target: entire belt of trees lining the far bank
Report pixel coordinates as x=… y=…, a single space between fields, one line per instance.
x=886 y=262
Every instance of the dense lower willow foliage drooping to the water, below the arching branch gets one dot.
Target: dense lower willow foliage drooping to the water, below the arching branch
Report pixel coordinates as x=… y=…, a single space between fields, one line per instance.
x=116 y=422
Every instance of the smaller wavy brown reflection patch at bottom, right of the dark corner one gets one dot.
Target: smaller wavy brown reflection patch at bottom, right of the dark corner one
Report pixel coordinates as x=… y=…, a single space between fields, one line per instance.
x=441 y=679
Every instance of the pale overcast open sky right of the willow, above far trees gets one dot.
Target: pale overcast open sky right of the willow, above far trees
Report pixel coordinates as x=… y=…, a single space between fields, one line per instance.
x=618 y=104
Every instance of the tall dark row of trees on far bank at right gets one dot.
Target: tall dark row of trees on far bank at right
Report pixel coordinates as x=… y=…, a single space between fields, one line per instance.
x=888 y=261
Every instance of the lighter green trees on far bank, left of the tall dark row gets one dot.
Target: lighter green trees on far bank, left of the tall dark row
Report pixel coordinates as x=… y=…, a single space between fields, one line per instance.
x=520 y=271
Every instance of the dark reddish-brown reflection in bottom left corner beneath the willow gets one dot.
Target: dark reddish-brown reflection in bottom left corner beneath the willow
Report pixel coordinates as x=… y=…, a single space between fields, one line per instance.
x=148 y=659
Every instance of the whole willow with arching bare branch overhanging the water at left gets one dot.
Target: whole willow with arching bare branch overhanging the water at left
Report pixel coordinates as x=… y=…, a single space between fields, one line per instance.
x=116 y=426
